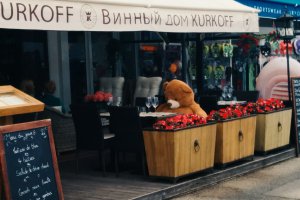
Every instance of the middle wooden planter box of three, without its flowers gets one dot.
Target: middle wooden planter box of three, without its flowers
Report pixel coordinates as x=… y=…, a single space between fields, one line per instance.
x=235 y=139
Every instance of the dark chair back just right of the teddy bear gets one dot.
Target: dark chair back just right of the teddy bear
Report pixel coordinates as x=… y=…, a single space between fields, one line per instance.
x=208 y=102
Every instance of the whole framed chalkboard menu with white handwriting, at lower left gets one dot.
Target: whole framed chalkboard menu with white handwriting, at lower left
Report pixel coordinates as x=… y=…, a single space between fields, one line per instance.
x=28 y=161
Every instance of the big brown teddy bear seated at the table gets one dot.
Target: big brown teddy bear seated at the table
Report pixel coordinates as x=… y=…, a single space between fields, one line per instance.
x=180 y=99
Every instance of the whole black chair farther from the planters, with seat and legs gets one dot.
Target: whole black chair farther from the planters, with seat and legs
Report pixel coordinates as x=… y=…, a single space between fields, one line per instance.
x=89 y=132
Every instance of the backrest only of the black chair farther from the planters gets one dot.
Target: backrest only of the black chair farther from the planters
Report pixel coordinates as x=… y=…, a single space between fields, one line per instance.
x=88 y=126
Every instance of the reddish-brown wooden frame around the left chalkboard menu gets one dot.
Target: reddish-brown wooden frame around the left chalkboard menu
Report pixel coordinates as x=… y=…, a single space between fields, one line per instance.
x=23 y=127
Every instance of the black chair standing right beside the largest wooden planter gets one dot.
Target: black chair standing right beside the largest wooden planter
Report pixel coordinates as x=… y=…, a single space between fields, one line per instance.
x=127 y=127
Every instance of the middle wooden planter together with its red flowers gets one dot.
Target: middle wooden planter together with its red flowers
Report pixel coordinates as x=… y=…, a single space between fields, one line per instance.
x=235 y=134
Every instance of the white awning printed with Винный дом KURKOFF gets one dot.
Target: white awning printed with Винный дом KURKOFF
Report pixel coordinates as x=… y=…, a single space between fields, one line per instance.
x=129 y=15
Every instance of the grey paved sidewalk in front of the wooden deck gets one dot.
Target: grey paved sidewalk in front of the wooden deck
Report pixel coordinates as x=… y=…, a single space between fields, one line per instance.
x=277 y=182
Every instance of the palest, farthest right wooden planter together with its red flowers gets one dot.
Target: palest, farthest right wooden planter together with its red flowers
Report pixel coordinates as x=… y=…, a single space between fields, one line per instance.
x=273 y=124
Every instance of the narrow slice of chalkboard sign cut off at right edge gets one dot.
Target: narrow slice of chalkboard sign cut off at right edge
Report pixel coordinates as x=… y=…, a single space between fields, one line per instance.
x=296 y=109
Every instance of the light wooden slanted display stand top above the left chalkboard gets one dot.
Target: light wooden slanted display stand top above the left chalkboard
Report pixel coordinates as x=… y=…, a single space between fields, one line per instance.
x=14 y=101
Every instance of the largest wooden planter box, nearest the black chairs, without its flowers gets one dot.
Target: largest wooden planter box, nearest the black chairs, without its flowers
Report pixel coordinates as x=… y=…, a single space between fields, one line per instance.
x=176 y=153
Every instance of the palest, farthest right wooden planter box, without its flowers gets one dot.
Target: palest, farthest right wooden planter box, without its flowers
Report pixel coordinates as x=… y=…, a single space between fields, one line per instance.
x=273 y=130
